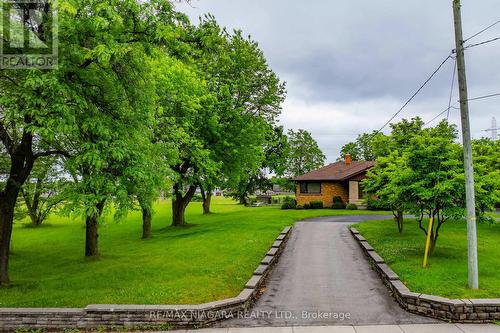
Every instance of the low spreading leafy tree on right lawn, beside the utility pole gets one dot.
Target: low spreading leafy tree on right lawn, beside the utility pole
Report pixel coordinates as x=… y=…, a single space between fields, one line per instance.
x=421 y=171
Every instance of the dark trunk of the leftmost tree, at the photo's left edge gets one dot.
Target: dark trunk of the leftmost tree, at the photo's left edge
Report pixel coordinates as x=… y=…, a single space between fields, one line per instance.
x=6 y=222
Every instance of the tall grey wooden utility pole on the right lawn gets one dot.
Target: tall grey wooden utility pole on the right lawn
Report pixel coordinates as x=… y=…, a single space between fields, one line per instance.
x=469 y=169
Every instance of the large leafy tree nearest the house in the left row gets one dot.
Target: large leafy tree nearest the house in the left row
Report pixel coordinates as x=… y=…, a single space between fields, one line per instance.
x=249 y=97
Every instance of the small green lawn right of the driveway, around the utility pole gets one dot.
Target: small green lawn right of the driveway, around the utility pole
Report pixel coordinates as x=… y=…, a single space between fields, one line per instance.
x=447 y=272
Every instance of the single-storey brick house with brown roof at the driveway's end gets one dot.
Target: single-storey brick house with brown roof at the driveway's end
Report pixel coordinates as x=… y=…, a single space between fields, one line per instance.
x=337 y=179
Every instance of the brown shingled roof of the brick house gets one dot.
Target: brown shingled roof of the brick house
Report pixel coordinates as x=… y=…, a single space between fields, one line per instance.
x=337 y=171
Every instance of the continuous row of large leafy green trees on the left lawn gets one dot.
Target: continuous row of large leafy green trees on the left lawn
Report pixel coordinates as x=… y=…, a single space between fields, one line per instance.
x=141 y=100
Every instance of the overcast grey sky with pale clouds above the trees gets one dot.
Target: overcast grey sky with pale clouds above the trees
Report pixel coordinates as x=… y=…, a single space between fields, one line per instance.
x=350 y=65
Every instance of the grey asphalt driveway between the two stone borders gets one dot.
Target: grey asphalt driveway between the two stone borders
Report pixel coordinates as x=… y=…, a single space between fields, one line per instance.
x=323 y=278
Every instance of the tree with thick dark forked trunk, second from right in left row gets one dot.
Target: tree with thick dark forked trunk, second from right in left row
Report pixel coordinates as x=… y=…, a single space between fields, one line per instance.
x=185 y=119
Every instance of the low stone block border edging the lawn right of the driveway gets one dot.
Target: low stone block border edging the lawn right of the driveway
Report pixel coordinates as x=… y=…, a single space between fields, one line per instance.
x=455 y=310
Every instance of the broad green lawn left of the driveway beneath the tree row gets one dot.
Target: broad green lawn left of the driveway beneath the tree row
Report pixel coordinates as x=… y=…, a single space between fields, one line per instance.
x=211 y=259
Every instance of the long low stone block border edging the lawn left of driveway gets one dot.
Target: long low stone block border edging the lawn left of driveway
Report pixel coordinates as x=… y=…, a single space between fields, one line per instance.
x=145 y=316
